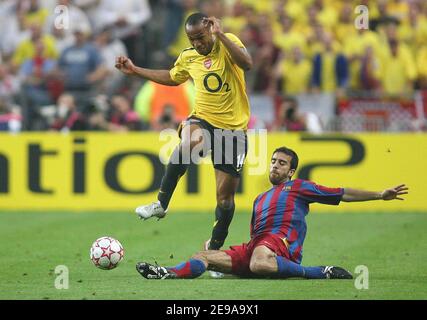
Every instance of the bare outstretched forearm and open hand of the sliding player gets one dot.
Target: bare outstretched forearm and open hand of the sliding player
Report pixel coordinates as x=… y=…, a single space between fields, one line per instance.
x=351 y=195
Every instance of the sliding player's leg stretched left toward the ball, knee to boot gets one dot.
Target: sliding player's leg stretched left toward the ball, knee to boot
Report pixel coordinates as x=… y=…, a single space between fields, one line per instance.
x=193 y=268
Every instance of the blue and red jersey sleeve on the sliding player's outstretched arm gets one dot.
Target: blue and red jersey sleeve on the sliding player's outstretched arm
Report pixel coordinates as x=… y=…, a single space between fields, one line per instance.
x=313 y=192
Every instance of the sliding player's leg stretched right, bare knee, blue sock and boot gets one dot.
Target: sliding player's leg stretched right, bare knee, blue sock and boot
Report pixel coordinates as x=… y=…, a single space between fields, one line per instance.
x=265 y=262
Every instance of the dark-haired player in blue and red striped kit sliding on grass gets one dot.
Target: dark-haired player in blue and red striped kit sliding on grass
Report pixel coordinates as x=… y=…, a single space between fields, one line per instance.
x=278 y=230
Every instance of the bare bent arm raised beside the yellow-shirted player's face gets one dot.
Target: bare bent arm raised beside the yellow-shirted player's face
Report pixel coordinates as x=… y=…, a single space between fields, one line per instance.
x=239 y=55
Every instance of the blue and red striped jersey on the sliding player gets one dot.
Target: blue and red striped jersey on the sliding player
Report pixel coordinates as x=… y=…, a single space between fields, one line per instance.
x=282 y=210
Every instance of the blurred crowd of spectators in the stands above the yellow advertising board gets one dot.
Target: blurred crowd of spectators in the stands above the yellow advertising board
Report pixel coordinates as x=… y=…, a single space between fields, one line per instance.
x=57 y=57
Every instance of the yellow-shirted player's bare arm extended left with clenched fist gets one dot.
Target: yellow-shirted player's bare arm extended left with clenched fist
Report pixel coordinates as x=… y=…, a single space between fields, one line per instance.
x=125 y=65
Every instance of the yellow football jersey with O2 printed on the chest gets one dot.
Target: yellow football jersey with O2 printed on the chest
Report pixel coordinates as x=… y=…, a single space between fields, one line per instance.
x=220 y=86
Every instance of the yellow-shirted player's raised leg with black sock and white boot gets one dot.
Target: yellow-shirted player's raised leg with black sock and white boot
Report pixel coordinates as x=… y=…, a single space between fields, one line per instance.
x=176 y=168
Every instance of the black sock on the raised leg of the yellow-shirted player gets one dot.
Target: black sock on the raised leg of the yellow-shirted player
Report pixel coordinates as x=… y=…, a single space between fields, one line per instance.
x=174 y=171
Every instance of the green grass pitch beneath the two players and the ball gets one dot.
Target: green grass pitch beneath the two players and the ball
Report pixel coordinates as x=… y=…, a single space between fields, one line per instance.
x=393 y=246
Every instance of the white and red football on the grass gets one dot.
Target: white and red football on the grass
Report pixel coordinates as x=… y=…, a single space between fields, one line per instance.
x=106 y=253
